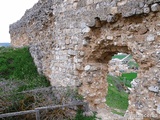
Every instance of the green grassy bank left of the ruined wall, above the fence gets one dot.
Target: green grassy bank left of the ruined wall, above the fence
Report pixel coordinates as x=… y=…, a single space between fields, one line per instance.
x=17 y=67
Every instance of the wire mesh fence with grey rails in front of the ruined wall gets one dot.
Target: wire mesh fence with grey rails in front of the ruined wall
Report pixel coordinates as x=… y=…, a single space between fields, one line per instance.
x=50 y=103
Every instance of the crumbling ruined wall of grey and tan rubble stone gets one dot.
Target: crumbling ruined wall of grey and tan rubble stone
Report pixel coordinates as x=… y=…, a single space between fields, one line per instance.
x=72 y=41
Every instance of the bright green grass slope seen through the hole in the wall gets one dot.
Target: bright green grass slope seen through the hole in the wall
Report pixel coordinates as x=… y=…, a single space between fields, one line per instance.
x=117 y=98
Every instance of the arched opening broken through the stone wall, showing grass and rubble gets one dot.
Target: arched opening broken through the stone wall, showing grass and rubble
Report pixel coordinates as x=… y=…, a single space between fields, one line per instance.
x=122 y=71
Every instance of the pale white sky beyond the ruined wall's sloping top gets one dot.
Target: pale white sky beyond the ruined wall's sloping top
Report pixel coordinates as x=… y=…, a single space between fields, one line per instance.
x=10 y=12
